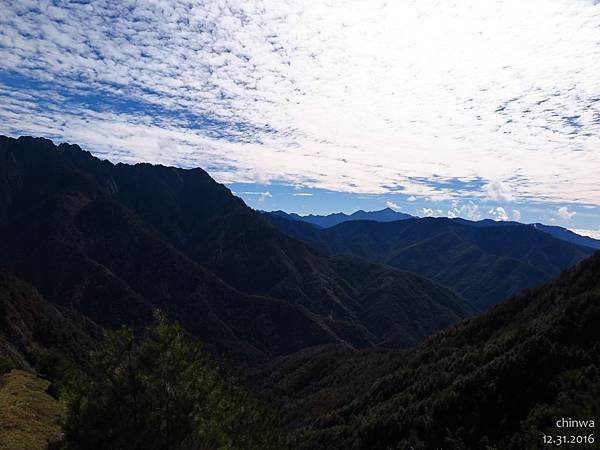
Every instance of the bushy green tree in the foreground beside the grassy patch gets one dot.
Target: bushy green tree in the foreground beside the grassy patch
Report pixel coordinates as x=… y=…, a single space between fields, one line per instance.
x=160 y=392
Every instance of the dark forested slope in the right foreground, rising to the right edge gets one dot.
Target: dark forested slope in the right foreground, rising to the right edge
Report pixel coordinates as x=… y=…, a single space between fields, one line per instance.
x=500 y=380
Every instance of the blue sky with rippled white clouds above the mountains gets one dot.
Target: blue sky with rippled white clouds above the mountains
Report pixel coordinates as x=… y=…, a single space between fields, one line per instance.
x=447 y=108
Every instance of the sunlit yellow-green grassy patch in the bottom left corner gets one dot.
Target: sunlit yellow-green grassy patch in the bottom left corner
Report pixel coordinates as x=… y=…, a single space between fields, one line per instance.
x=29 y=417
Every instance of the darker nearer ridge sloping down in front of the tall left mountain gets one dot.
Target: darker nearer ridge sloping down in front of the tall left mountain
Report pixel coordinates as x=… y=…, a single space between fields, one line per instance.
x=115 y=271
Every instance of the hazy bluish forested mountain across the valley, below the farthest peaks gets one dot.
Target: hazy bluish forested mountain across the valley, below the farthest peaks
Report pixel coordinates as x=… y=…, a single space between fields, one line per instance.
x=484 y=263
